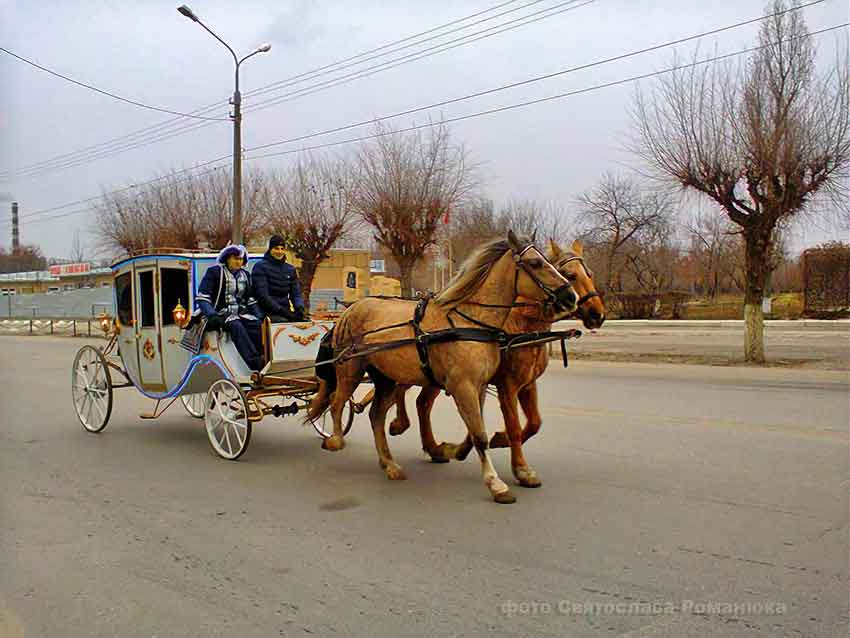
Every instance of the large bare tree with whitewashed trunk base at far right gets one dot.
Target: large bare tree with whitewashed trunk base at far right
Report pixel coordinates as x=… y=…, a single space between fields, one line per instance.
x=761 y=141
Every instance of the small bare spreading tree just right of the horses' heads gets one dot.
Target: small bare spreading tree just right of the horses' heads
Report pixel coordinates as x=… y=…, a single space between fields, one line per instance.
x=616 y=212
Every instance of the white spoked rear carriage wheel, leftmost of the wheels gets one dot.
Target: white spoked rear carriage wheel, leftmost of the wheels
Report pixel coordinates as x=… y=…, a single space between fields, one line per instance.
x=91 y=388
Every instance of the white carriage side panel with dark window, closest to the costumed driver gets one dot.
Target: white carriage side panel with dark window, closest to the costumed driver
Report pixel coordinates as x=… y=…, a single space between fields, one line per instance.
x=173 y=290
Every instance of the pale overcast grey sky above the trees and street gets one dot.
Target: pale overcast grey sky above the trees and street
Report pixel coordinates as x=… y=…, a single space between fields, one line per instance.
x=149 y=53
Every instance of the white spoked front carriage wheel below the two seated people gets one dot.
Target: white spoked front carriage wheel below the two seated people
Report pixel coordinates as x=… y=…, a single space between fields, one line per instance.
x=226 y=418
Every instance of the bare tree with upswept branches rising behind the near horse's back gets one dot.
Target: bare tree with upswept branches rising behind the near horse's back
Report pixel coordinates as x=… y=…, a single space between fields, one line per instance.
x=407 y=185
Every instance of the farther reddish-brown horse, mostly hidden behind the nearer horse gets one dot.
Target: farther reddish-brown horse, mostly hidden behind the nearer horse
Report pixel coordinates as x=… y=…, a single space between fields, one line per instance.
x=517 y=374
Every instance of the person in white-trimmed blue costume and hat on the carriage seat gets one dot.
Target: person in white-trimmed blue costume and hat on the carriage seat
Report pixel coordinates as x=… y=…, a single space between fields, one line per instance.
x=224 y=299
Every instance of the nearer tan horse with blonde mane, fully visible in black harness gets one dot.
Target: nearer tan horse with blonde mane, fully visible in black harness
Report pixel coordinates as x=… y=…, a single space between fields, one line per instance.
x=481 y=295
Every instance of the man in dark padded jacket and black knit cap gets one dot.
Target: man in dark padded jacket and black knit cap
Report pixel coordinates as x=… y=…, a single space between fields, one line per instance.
x=276 y=284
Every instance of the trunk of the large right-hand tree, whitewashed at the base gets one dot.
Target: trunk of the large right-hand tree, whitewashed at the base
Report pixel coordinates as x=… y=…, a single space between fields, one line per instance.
x=758 y=266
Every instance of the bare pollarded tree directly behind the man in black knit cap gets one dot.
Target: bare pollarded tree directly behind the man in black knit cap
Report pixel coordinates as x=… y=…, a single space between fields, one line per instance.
x=310 y=207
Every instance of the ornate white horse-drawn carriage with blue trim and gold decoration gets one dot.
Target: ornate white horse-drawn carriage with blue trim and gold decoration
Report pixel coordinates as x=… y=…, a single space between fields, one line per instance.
x=153 y=293
